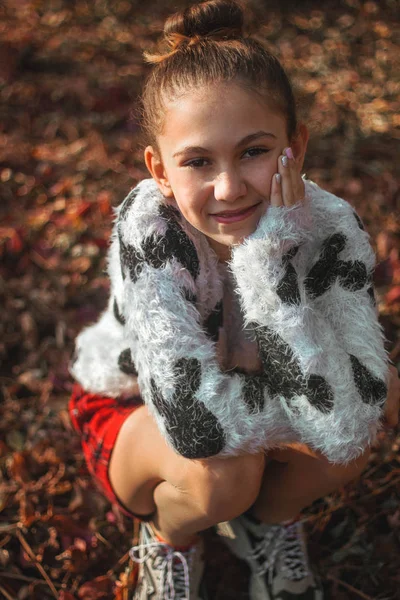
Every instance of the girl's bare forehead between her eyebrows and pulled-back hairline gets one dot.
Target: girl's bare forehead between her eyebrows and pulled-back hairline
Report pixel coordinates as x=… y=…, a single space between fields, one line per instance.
x=224 y=109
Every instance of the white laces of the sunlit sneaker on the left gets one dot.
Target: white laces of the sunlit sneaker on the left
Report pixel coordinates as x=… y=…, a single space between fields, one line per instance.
x=173 y=566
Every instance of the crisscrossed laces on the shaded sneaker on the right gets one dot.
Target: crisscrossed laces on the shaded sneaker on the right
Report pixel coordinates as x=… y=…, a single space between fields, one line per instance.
x=281 y=541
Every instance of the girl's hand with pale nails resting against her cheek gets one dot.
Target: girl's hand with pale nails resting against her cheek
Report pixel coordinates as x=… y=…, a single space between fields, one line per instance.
x=288 y=188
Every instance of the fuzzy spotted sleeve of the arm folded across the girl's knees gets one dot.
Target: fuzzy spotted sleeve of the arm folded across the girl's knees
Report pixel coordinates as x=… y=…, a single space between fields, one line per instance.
x=201 y=410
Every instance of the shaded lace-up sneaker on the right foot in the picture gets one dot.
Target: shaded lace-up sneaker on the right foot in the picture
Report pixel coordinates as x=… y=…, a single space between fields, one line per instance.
x=277 y=557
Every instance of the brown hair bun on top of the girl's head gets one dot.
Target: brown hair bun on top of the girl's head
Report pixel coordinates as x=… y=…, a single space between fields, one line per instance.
x=218 y=18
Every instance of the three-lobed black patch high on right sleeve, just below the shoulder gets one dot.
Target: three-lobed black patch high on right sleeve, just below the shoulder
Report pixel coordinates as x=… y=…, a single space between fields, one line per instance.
x=352 y=274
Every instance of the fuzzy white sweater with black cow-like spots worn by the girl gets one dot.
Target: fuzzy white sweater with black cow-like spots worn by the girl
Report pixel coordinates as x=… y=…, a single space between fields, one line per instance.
x=304 y=283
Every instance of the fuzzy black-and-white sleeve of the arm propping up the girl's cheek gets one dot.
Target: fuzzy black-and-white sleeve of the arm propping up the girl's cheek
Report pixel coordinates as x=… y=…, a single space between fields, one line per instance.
x=308 y=295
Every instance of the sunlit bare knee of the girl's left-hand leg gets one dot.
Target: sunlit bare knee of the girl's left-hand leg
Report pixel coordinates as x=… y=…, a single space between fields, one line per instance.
x=228 y=487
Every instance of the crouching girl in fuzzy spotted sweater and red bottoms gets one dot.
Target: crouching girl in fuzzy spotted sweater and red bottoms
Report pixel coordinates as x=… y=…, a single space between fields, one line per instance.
x=242 y=307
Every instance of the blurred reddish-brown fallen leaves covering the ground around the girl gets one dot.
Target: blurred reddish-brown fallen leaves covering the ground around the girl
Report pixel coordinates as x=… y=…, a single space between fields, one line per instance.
x=70 y=73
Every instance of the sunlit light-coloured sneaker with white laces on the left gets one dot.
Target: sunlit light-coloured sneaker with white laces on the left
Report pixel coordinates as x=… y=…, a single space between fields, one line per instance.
x=165 y=572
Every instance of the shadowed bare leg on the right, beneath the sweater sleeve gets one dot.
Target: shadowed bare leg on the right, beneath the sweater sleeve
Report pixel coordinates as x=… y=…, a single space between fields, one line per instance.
x=295 y=477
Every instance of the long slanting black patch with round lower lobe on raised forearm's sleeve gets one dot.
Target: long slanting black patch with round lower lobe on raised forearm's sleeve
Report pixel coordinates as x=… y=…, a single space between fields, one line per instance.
x=283 y=375
